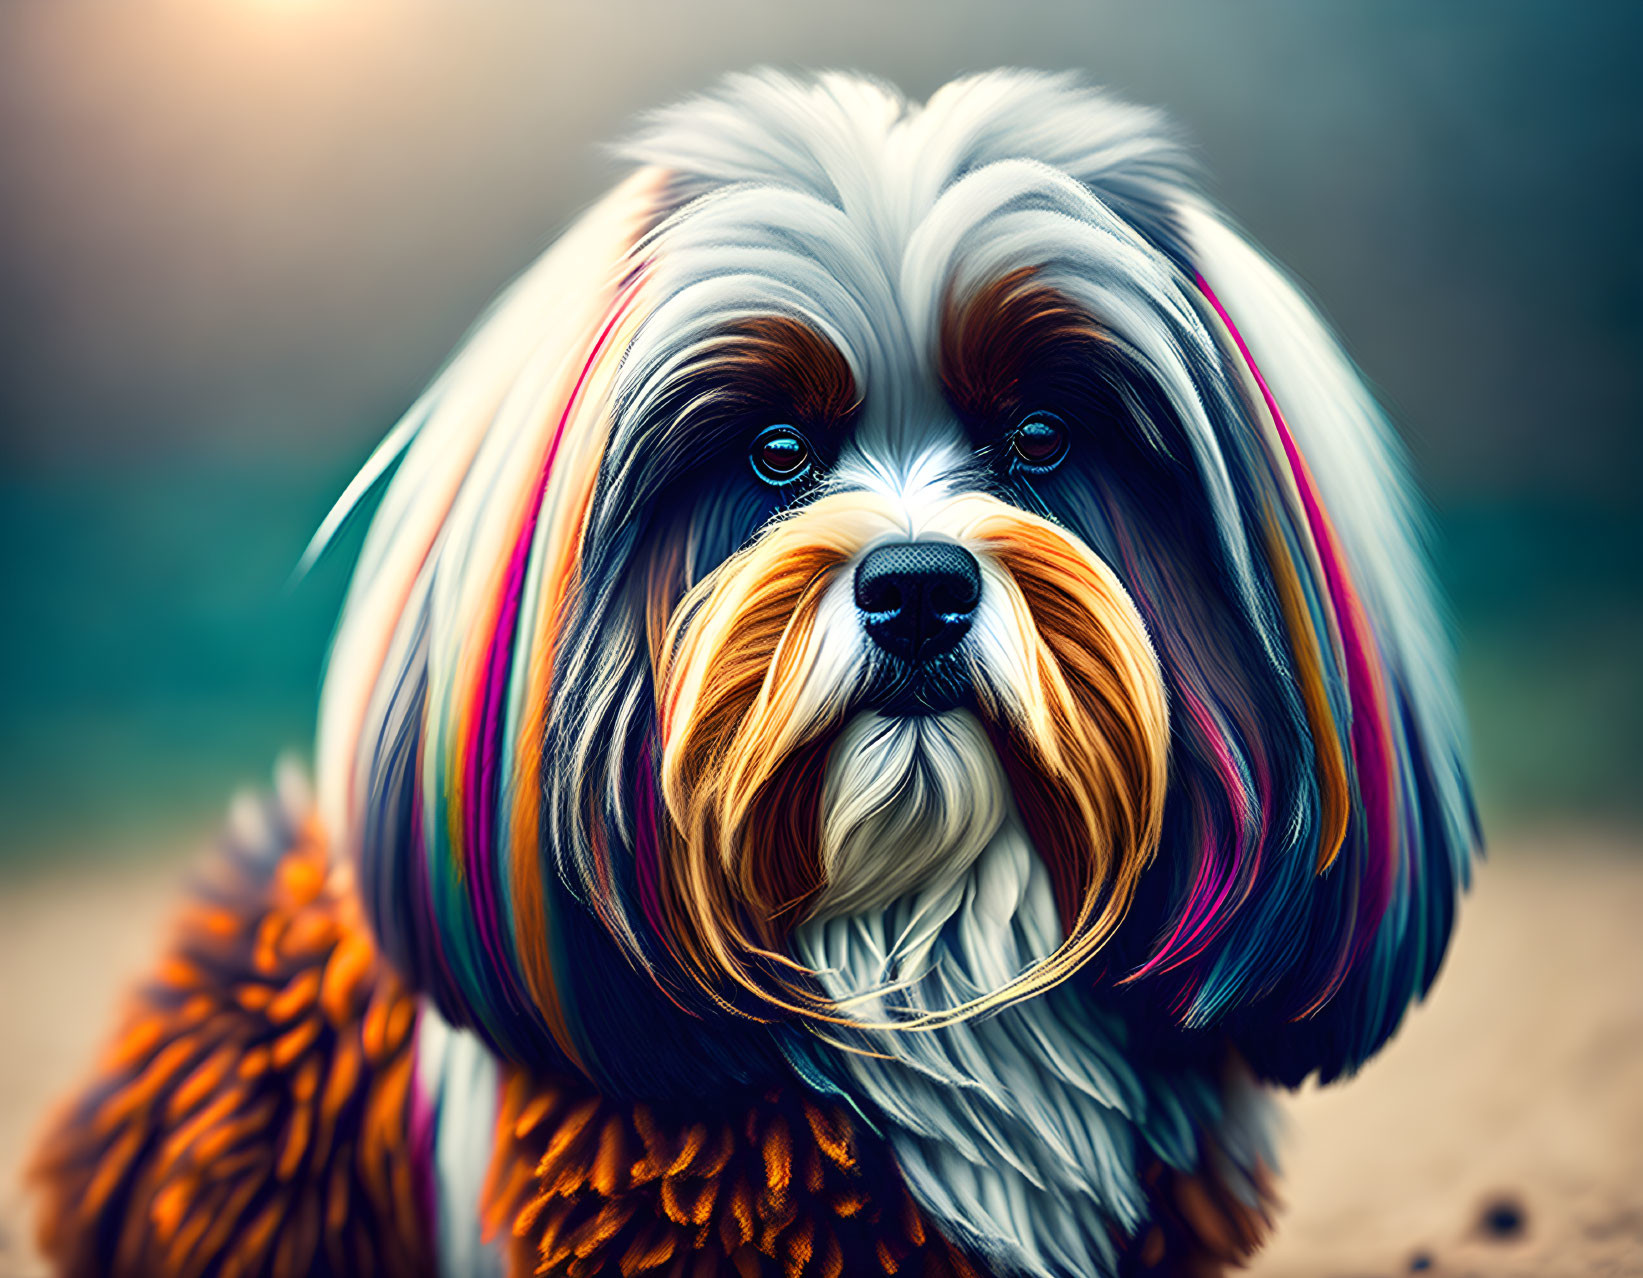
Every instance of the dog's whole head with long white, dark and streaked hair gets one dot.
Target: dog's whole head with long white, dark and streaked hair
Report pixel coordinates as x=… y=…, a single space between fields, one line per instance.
x=855 y=480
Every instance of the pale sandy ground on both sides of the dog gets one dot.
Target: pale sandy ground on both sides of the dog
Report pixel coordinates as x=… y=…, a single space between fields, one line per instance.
x=1517 y=1093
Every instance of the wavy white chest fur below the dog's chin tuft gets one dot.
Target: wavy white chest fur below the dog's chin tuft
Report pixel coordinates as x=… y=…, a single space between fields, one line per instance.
x=1013 y=1131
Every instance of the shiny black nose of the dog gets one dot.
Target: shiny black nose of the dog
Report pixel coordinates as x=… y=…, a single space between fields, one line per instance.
x=918 y=599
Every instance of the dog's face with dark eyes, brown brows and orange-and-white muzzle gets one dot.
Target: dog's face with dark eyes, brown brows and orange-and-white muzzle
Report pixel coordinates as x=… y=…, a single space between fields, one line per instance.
x=880 y=622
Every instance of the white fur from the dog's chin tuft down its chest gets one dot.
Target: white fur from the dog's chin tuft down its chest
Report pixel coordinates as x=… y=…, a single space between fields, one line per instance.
x=1024 y=1133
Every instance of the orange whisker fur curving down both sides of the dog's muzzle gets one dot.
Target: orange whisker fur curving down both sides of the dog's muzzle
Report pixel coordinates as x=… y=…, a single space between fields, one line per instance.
x=1087 y=730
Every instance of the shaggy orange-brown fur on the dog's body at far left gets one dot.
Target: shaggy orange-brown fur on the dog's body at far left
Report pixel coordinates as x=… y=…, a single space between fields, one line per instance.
x=252 y=1115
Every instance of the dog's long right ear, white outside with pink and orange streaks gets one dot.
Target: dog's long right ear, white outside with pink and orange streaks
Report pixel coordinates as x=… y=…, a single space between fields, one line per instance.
x=1322 y=893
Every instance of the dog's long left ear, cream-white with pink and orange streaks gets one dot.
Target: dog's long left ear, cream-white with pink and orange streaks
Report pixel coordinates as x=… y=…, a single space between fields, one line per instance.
x=431 y=722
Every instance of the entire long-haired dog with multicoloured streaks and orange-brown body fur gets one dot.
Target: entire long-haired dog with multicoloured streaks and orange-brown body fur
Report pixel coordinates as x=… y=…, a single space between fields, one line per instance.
x=890 y=701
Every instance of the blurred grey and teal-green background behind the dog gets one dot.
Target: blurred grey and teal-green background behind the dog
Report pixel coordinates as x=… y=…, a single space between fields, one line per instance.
x=239 y=236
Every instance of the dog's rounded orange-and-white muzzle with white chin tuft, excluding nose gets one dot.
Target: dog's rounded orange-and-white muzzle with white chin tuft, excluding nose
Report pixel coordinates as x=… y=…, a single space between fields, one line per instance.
x=789 y=799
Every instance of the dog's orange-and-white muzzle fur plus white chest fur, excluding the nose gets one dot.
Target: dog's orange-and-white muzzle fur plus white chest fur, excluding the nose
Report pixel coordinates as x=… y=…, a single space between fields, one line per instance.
x=903 y=875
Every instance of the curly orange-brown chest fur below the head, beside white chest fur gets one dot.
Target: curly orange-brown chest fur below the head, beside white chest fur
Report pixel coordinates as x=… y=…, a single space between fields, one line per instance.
x=771 y=1187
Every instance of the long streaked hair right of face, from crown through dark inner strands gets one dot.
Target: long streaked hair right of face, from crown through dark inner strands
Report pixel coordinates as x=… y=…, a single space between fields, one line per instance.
x=1320 y=824
